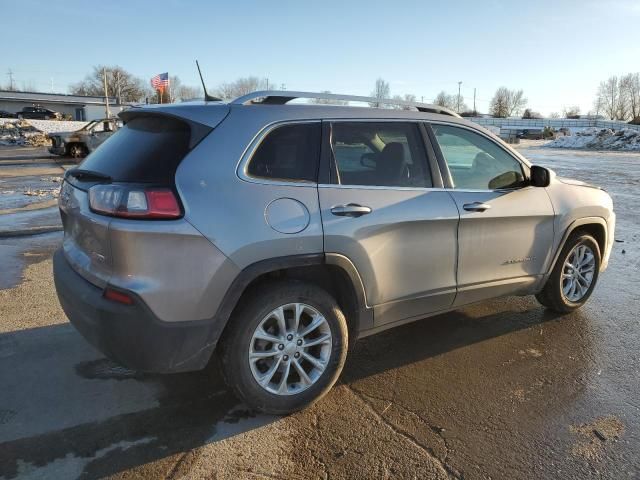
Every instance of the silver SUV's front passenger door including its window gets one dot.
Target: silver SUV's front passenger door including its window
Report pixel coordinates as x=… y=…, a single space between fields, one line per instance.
x=506 y=225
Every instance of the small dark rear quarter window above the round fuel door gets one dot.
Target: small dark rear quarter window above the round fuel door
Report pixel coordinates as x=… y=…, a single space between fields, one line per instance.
x=290 y=152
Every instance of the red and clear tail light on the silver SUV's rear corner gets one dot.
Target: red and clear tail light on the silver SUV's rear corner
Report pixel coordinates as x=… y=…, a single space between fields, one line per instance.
x=134 y=202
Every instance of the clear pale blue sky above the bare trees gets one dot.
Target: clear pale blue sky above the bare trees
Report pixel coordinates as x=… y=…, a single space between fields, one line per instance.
x=556 y=51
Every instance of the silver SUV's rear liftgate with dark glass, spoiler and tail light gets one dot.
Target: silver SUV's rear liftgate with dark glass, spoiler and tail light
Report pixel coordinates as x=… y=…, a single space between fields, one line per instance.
x=133 y=170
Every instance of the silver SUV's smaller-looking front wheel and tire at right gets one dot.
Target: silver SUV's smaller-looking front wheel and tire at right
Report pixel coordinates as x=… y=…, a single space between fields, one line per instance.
x=574 y=275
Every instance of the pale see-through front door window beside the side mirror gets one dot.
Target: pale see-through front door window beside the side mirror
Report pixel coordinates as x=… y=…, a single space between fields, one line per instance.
x=475 y=162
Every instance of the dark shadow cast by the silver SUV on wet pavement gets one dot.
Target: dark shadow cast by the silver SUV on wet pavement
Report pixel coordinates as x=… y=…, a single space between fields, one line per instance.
x=175 y=413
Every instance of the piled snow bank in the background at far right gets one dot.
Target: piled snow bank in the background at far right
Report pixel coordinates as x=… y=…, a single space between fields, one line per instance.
x=600 y=139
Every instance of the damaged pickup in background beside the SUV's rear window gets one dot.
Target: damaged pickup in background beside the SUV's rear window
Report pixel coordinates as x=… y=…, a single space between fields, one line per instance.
x=80 y=143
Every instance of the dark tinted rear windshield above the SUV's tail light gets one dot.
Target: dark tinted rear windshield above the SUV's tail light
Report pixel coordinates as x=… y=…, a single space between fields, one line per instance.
x=147 y=149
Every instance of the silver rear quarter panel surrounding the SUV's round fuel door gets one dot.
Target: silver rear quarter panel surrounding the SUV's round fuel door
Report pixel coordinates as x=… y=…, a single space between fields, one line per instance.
x=229 y=211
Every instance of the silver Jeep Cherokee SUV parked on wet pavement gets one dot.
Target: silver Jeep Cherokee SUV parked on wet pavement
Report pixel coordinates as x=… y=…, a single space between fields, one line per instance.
x=276 y=234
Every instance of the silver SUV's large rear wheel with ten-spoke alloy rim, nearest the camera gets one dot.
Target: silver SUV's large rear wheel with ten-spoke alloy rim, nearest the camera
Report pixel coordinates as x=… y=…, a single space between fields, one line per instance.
x=284 y=347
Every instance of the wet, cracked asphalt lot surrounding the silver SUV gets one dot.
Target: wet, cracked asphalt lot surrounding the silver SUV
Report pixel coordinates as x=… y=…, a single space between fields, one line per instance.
x=502 y=389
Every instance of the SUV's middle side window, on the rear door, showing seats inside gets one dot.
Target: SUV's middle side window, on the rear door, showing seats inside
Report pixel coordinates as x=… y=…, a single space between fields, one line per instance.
x=379 y=154
